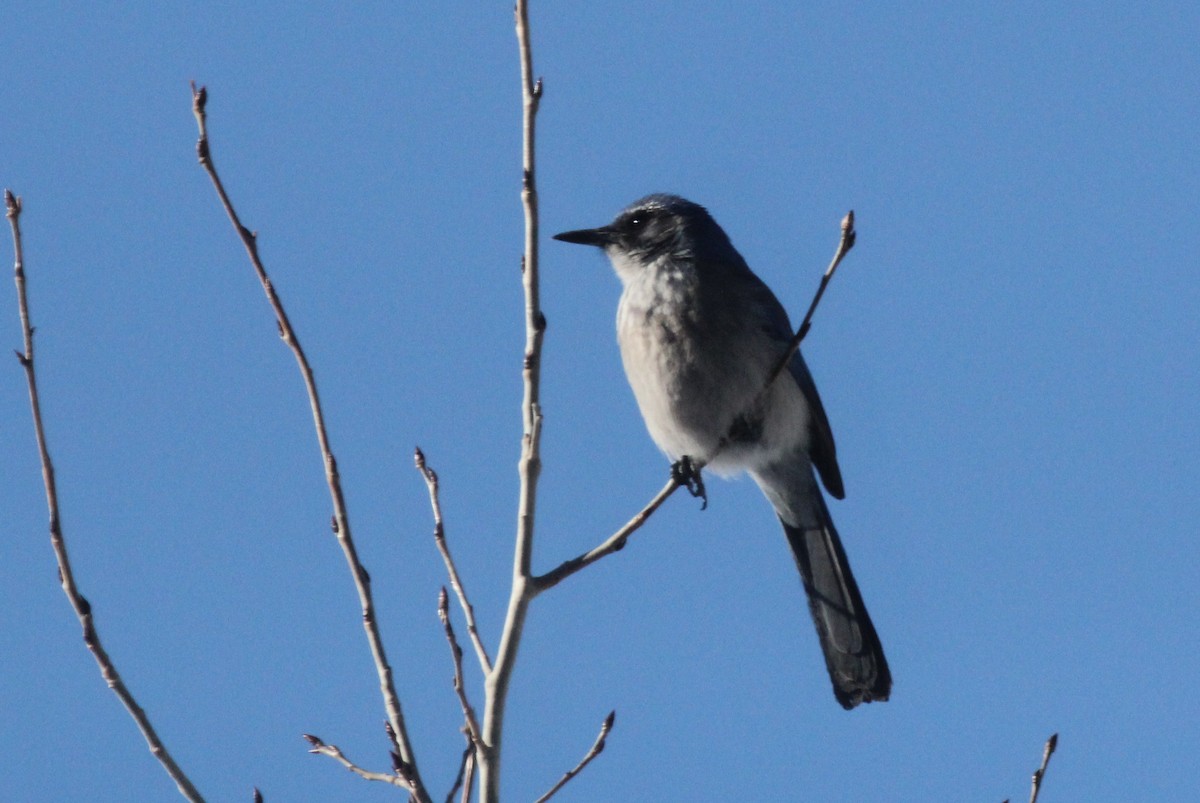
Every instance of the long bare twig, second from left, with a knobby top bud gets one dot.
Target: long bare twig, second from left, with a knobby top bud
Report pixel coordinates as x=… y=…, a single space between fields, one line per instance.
x=341 y=518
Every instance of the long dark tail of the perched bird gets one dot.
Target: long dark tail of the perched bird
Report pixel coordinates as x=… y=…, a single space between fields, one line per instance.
x=853 y=651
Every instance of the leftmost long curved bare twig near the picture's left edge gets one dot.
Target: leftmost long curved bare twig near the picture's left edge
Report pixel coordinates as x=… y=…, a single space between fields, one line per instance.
x=67 y=577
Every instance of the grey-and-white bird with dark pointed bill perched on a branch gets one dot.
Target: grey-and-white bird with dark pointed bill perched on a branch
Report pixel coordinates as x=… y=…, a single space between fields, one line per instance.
x=700 y=335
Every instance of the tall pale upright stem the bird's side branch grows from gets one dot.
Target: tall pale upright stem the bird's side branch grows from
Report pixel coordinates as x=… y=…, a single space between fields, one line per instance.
x=530 y=465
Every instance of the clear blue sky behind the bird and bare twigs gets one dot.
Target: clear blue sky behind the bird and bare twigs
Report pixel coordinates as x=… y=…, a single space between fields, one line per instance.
x=1010 y=361
